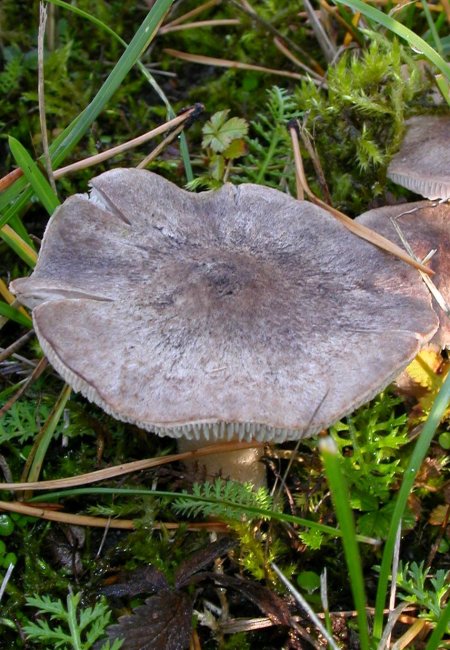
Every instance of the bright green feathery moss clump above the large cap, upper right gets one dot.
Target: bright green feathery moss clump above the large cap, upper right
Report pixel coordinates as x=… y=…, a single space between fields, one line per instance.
x=357 y=122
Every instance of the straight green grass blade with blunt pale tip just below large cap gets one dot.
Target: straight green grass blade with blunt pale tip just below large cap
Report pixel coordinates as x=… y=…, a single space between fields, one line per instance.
x=341 y=502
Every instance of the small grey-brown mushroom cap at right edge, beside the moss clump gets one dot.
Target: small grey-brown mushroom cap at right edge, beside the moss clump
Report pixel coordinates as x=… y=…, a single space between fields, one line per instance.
x=423 y=163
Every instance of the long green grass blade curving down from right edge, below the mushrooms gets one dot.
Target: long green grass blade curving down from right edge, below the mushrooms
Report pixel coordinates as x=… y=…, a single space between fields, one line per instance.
x=417 y=457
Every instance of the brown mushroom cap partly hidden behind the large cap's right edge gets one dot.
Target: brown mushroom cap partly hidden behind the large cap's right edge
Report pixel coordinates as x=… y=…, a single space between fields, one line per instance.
x=426 y=227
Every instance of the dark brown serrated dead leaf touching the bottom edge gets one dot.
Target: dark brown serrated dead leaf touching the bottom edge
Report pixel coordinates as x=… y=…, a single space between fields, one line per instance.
x=163 y=623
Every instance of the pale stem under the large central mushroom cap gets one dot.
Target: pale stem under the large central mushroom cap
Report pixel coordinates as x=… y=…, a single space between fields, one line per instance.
x=242 y=465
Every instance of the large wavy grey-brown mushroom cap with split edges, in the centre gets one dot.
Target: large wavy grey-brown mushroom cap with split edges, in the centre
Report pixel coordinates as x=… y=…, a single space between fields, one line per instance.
x=239 y=312
